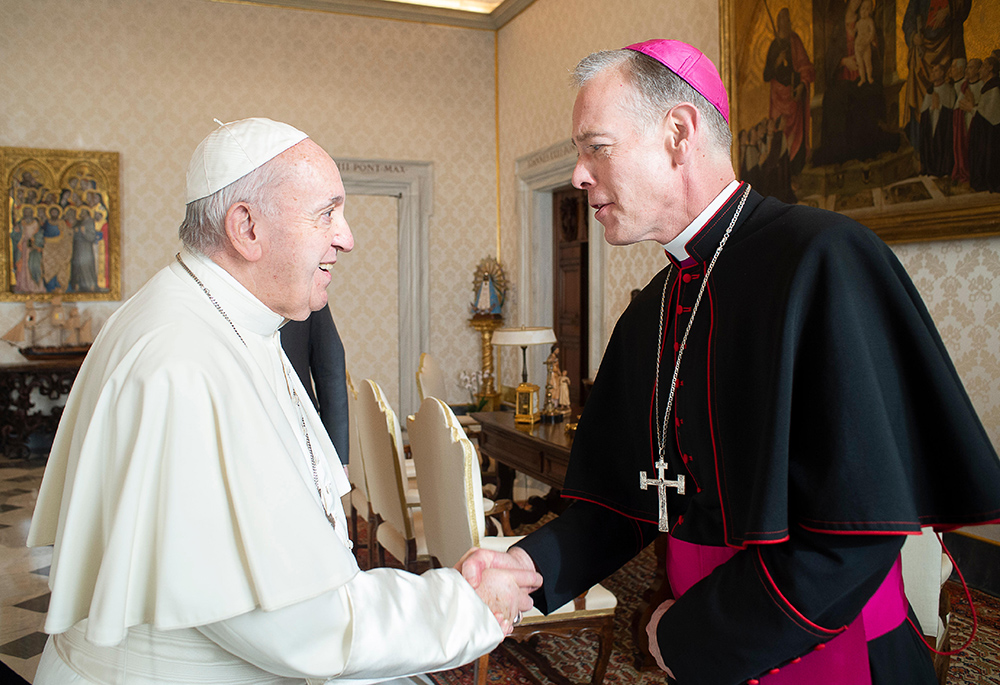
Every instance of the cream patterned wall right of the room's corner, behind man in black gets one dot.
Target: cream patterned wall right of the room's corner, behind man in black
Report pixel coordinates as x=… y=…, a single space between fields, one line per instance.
x=959 y=279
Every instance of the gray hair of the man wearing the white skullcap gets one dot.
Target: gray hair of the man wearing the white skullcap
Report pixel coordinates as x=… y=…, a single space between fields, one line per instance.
x=204 y=227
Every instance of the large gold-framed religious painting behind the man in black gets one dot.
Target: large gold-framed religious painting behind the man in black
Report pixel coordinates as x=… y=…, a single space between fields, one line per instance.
x=885 y=110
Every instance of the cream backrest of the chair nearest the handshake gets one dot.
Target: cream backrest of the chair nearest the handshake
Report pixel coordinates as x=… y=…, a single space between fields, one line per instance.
x=448 y=478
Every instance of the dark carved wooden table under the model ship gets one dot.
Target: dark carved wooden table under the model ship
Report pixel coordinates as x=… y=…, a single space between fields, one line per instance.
x=20 y=419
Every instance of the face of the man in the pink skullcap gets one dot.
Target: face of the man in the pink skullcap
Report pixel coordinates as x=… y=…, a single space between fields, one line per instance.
x=625 y=169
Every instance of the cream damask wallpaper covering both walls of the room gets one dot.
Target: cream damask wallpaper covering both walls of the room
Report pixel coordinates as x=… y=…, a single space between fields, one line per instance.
x=145 y=78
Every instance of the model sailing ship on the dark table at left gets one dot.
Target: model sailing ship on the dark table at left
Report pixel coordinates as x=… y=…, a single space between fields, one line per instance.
x=73 y=333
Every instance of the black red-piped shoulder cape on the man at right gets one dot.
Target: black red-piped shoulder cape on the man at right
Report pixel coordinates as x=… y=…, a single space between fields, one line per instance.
x=814 y=383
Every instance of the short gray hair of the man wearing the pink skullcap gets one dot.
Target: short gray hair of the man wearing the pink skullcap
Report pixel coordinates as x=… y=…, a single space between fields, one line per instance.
x=656 y=90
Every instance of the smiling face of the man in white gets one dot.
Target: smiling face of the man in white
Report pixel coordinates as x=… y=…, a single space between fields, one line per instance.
x=302 y=237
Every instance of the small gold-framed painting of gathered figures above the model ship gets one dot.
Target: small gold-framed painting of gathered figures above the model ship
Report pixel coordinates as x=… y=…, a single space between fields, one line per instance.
x=61 y=225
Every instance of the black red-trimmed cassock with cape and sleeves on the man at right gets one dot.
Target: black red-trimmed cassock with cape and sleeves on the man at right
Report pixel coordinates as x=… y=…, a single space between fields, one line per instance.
x=817 y=418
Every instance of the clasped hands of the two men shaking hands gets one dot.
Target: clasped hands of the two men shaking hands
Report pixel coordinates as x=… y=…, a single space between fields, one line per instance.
x=503 y=580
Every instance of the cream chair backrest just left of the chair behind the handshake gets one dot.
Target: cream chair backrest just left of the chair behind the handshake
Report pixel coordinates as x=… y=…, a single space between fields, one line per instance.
x=382 y=446
